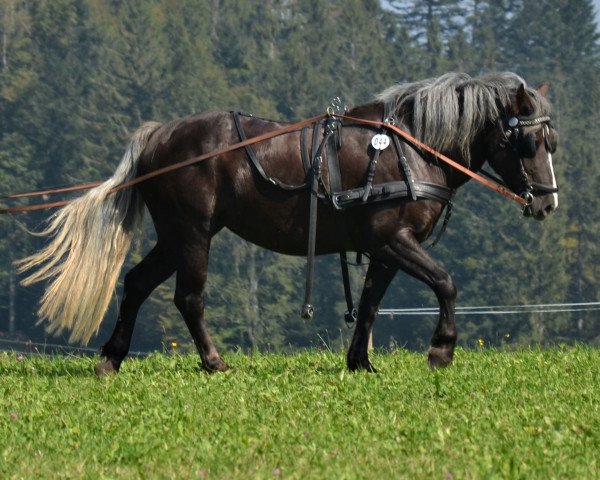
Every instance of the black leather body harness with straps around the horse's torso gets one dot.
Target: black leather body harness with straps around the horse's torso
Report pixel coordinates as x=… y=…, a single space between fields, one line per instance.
x=326 y=141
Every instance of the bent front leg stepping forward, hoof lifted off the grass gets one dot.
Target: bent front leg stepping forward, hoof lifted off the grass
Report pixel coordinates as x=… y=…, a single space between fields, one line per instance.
x=409 y=256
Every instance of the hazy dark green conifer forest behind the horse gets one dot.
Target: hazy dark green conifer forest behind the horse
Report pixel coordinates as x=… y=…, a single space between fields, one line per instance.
x=78 y=76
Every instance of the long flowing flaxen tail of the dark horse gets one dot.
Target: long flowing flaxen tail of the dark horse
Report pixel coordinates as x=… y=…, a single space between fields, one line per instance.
x=91 y=237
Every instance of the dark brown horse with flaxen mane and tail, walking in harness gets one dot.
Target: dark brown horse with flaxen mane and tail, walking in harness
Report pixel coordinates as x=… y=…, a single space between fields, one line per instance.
x=265 y=192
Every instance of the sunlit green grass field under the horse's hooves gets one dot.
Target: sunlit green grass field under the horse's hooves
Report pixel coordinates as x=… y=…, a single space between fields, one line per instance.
x=494 y=414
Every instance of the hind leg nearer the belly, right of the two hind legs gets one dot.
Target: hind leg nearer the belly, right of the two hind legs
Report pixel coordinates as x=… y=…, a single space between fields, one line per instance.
x=189 y=299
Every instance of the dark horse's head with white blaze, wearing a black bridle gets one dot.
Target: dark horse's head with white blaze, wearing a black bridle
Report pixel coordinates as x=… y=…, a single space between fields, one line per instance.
x=523 y=156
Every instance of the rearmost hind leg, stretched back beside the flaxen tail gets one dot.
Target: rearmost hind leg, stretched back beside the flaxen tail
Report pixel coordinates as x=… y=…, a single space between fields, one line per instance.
x=139 y=283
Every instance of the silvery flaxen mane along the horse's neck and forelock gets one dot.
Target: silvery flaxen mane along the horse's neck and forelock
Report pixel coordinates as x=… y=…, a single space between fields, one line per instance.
x=450 y=110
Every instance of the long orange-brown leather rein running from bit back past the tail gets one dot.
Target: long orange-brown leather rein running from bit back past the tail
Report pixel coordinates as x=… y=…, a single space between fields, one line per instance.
x=245 y=143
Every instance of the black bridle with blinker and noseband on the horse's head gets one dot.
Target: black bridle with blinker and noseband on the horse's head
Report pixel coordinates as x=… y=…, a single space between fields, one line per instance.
x=524 y=146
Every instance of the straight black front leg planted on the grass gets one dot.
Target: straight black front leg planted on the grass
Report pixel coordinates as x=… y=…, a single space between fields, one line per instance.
x=377 y=280
